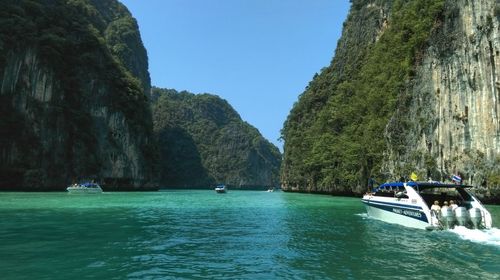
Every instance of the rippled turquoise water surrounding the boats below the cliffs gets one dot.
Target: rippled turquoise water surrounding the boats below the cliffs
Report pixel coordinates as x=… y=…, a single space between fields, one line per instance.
x=238 y=235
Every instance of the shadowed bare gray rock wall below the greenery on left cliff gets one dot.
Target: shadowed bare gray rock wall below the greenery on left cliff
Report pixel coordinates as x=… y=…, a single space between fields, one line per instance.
x=64 y=137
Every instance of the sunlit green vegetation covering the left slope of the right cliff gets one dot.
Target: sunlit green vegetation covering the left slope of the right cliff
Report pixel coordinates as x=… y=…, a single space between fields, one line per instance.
x=334 y=134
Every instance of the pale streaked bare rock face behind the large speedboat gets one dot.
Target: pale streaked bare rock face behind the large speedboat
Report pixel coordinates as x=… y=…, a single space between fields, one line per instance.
x=450 y=120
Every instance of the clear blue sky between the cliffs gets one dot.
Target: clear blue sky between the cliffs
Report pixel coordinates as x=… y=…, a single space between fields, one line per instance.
x=259 y=55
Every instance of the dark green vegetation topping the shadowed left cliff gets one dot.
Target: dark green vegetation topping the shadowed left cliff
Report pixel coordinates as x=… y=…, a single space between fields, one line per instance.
x=71 y=33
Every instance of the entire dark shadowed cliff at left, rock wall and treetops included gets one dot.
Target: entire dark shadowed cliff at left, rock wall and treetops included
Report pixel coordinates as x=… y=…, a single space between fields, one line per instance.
x=71 y=107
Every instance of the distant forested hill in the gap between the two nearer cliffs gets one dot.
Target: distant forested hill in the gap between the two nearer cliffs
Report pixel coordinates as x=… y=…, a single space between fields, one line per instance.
x=203 y=141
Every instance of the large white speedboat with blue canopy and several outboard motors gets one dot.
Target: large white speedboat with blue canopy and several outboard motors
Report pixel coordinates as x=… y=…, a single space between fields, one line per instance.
x=410 y=203
